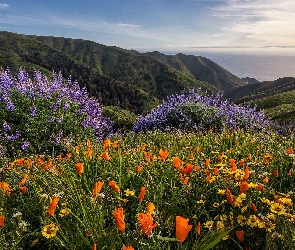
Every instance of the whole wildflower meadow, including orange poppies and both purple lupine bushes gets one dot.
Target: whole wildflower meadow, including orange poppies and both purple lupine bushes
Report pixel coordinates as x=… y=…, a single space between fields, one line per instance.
x=179 y=180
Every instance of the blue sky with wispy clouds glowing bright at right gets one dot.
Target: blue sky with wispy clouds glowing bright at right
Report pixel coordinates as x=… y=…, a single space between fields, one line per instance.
x=162 y=25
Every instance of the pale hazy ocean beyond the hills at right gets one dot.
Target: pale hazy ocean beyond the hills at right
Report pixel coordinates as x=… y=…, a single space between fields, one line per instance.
x=263 y=64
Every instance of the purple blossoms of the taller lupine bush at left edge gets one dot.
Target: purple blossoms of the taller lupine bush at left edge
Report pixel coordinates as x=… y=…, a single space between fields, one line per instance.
x=63 y=96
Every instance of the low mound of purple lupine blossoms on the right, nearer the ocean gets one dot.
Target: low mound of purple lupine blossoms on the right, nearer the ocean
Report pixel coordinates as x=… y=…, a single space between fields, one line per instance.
x=170 y=114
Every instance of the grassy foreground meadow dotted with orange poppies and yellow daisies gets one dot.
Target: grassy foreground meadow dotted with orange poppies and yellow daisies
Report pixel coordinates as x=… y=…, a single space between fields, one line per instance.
x=154 y=191
